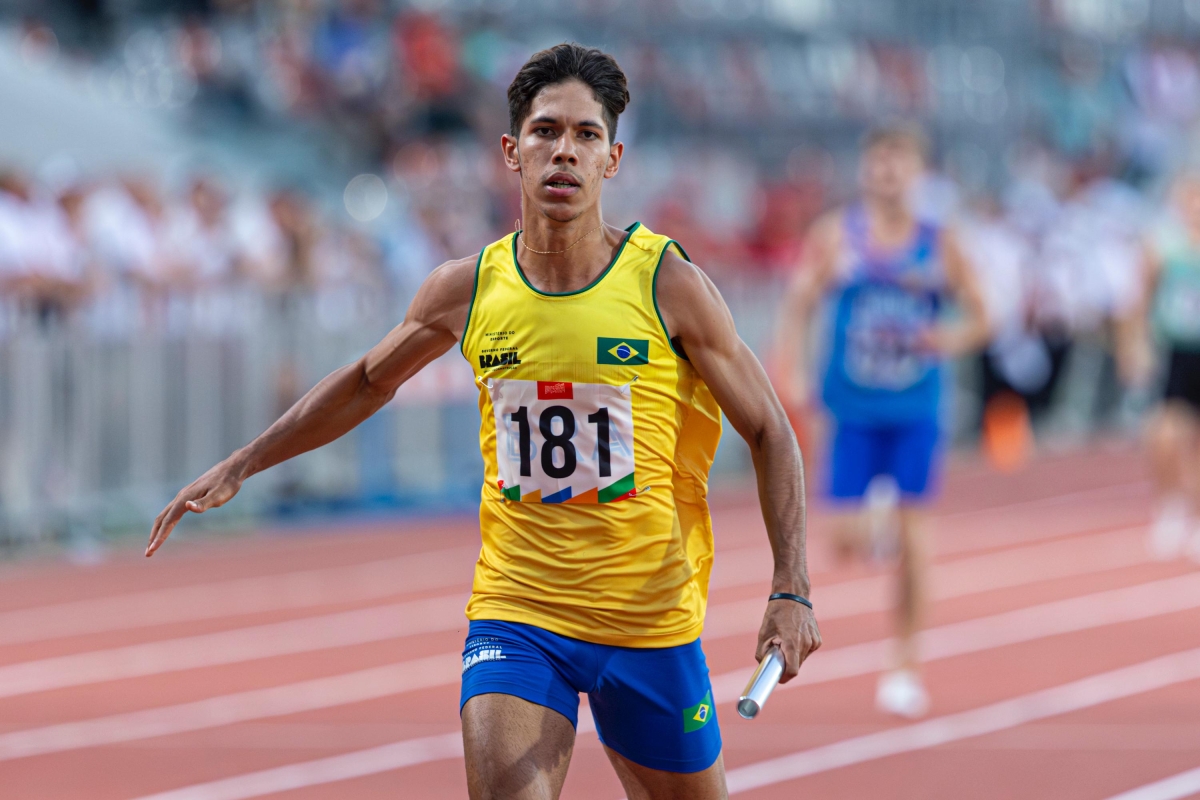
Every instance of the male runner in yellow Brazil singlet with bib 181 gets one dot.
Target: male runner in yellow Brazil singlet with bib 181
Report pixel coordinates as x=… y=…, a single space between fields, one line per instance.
x=604 y=360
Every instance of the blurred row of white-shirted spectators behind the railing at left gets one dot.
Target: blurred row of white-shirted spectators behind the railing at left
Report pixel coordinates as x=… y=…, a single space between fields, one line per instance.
x=124 y=254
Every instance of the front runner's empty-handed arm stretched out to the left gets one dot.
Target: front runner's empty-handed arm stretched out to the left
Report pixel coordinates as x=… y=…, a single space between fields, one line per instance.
x=344 y=399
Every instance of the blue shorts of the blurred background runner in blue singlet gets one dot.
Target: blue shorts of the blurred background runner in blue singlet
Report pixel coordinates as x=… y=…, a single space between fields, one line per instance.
x=905 y=452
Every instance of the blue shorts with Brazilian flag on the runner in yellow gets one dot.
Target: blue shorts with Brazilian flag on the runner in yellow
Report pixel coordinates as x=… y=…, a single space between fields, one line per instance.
x=653 y=706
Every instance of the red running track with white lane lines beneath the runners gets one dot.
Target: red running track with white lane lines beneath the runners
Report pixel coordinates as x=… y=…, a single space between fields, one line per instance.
x=1063 y=661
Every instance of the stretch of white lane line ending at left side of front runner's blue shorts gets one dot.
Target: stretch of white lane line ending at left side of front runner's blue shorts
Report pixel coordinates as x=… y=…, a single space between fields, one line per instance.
x=230 y=709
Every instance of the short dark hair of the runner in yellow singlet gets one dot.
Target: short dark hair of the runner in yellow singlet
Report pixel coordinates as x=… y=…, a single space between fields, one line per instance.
x=568 y=62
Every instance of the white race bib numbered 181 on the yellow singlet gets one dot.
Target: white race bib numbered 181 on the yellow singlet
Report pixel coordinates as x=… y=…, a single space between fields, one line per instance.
x=560 y=442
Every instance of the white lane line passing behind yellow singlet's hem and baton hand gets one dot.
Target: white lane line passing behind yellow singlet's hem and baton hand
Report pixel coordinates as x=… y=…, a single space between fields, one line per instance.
x=446 y=613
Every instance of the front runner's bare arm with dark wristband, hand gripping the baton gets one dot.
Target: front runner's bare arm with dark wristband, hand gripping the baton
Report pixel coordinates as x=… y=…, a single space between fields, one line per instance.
x=698 y=318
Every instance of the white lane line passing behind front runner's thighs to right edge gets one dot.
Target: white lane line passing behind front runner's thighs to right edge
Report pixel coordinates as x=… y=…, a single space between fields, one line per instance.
x=1127 y=682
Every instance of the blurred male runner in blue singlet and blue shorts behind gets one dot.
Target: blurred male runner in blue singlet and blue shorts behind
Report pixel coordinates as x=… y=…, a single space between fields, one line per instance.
x=886 y=274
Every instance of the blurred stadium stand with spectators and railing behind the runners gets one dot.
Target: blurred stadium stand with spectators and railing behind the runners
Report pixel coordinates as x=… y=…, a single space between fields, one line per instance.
x=207 y=206
